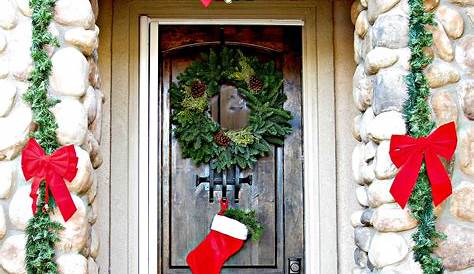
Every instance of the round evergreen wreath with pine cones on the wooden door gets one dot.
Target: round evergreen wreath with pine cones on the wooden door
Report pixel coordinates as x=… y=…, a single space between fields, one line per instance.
x=204 y=140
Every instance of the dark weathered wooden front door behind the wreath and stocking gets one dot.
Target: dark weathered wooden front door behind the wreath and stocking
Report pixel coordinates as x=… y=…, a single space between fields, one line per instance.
x=277 y=189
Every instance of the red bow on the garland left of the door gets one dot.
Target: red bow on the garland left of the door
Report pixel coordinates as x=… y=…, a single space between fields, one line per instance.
x=53 y=169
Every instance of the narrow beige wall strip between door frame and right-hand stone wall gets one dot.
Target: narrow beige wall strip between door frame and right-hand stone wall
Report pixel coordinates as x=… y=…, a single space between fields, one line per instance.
x=345 y=110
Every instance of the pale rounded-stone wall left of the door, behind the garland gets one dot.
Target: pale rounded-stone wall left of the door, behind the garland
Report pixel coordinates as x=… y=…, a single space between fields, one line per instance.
x=76 y=82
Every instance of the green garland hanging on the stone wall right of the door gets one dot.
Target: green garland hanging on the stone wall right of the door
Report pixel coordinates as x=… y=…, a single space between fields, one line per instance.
x=419 y=123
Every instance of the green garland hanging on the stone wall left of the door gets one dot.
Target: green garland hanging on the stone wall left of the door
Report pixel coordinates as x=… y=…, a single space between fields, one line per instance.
x=42 y=232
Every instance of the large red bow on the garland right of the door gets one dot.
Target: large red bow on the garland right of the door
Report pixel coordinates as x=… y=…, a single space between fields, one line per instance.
x=407 y=153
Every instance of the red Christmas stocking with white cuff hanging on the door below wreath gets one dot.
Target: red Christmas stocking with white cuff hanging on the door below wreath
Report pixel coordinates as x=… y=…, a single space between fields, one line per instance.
x=227 y=236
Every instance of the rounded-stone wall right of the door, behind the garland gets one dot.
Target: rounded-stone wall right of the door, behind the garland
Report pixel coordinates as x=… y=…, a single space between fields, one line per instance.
x=382 y=230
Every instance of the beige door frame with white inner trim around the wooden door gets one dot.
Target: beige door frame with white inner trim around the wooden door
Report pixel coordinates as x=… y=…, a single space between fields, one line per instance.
x=133 y=96
